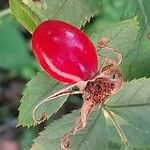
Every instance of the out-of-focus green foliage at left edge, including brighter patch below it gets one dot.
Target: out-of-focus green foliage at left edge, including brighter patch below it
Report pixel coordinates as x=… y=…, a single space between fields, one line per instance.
x=14 y=48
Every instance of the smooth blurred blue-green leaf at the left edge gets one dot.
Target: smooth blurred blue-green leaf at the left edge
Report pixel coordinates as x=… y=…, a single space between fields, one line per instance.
x=13 y=48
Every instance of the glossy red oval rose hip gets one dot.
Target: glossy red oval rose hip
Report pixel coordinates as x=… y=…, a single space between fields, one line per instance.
x=64 y=52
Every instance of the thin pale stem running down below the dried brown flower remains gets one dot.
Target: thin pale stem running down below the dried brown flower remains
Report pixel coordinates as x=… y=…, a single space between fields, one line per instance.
x=117 y=126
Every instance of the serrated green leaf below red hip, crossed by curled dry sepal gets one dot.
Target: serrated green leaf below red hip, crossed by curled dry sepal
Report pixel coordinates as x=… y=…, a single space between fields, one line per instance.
x=38 y=88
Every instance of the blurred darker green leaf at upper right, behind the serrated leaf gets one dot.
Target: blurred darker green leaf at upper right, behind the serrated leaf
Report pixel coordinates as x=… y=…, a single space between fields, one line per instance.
x=116 y=11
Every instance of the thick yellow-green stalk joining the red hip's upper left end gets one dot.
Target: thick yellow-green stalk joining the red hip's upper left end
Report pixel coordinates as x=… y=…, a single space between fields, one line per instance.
x=24 y=14
